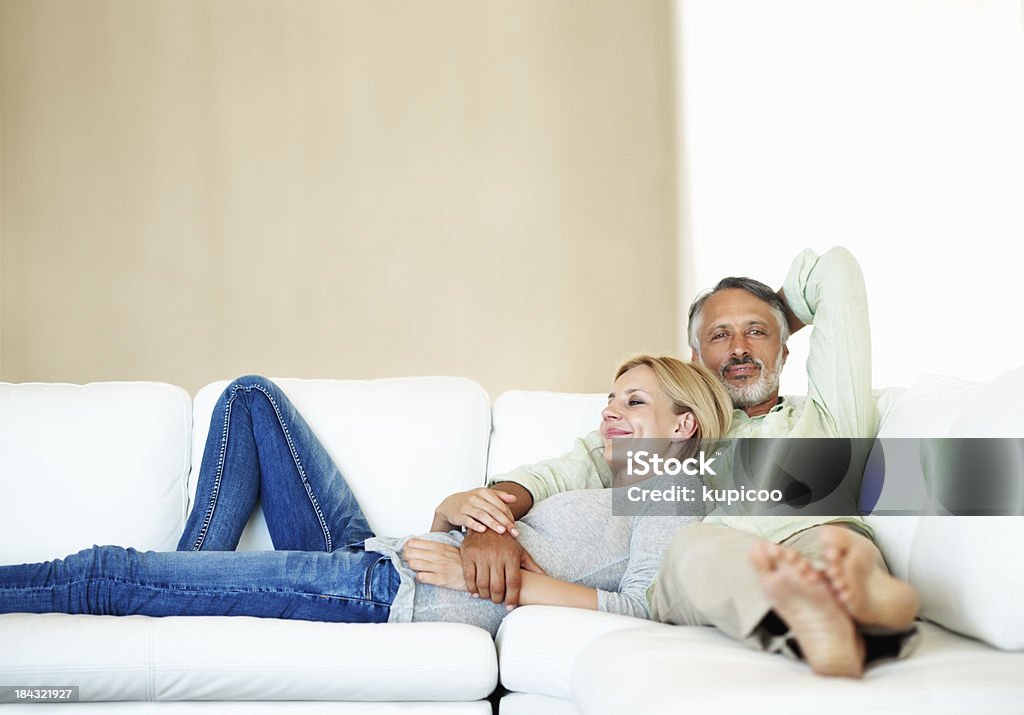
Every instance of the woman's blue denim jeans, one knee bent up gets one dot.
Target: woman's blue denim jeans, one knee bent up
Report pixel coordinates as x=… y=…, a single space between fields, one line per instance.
x=260 y=450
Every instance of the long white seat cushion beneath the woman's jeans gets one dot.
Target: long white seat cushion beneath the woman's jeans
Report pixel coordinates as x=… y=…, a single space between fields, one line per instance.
x=175 y=659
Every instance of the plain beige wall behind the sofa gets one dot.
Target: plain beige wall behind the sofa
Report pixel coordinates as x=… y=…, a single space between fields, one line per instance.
x=193 y=190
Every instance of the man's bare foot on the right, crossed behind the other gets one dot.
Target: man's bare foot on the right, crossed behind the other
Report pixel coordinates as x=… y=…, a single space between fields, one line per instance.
x=869 y=594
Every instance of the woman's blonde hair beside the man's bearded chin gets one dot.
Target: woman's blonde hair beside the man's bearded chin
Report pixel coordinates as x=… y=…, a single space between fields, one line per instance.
x=692 y=389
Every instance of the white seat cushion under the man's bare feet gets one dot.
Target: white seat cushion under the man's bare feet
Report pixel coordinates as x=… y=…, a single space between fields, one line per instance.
x=699 y=670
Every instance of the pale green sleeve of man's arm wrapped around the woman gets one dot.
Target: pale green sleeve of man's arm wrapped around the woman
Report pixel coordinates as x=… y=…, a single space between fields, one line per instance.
x=584 y=468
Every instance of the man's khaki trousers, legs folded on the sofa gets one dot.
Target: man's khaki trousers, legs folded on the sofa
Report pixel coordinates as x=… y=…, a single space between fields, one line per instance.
x=708 y=579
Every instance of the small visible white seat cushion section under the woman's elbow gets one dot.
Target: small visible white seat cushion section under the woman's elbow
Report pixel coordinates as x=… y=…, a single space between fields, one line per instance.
x=538 y=645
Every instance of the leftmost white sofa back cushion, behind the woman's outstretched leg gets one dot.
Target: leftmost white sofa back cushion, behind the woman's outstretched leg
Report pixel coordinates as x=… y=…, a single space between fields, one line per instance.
x=104 y=464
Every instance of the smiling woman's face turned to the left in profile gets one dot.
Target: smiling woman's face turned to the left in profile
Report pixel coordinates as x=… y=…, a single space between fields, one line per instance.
x=638 y=408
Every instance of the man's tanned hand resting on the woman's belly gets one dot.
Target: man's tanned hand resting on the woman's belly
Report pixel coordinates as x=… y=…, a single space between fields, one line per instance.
x=492 y=565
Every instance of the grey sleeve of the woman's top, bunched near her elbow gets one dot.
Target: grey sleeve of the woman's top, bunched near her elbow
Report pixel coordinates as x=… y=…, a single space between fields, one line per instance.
x=650 y=542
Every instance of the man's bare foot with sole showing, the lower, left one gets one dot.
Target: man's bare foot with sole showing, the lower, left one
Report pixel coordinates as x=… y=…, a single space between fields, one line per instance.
x=801 y=598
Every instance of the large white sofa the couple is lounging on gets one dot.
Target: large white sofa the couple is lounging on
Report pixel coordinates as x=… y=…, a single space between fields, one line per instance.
x=111 y=464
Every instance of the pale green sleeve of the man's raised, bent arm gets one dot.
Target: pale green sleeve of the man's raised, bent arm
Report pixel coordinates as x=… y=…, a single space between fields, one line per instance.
x=828 y=292
